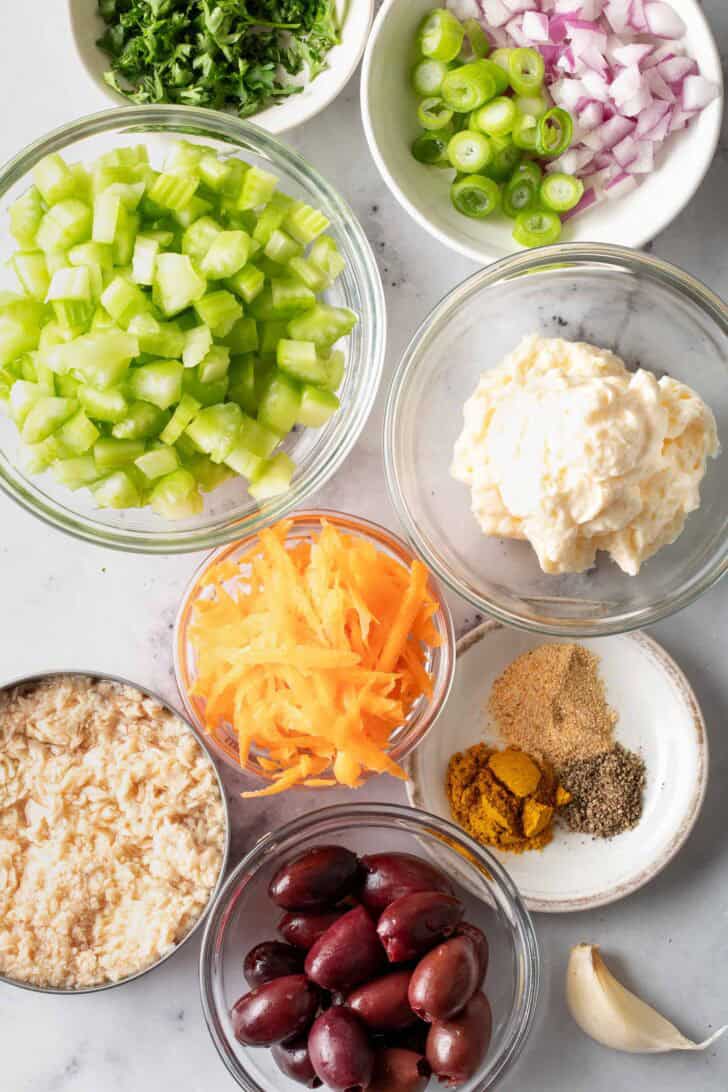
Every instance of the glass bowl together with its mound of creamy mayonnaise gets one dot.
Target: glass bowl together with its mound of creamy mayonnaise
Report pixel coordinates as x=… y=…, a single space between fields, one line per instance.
x=553 y=440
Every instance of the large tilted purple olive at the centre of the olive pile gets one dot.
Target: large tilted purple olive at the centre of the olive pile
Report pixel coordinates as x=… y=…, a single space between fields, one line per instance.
x=349 y=954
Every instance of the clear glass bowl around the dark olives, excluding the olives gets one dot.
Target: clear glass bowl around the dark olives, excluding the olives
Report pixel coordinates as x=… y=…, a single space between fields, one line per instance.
x=244 y=917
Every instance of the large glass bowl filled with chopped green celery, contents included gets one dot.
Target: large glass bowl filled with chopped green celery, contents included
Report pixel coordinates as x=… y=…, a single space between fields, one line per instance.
x=193 y=329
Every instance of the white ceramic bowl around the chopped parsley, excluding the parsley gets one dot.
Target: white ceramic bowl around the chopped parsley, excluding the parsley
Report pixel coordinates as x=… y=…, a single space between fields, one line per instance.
x=356 y=17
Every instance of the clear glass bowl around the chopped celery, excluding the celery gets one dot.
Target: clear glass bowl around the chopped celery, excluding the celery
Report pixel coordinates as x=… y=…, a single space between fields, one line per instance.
x=230 y=512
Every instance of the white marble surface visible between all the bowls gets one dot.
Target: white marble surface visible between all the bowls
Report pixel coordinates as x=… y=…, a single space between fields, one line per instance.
x=70 y=604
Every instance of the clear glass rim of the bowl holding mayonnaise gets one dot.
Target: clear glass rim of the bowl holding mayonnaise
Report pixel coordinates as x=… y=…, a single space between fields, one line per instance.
x=529 y=262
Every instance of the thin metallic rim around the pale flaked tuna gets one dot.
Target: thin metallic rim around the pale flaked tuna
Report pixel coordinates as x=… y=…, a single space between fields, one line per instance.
x=106 y=676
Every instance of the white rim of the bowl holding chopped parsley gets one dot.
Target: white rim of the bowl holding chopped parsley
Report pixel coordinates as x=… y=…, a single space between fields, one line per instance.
x=281 y=117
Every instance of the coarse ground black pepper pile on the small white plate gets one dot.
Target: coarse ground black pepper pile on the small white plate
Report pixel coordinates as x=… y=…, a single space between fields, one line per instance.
x=606 y=793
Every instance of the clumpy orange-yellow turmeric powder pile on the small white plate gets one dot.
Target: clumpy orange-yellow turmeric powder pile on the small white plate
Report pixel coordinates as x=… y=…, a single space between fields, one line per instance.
x=505 y=799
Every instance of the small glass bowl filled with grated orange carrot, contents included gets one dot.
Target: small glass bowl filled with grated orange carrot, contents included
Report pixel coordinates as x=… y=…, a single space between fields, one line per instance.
x=317 y=652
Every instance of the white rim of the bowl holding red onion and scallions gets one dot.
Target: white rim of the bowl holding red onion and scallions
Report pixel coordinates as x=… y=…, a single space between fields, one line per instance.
x=484 y=253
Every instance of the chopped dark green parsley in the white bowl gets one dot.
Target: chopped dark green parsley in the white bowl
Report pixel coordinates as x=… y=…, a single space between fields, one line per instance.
x=232 y=55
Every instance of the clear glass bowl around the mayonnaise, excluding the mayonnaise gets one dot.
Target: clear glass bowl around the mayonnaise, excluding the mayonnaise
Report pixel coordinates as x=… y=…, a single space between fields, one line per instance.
x=649 y=313
